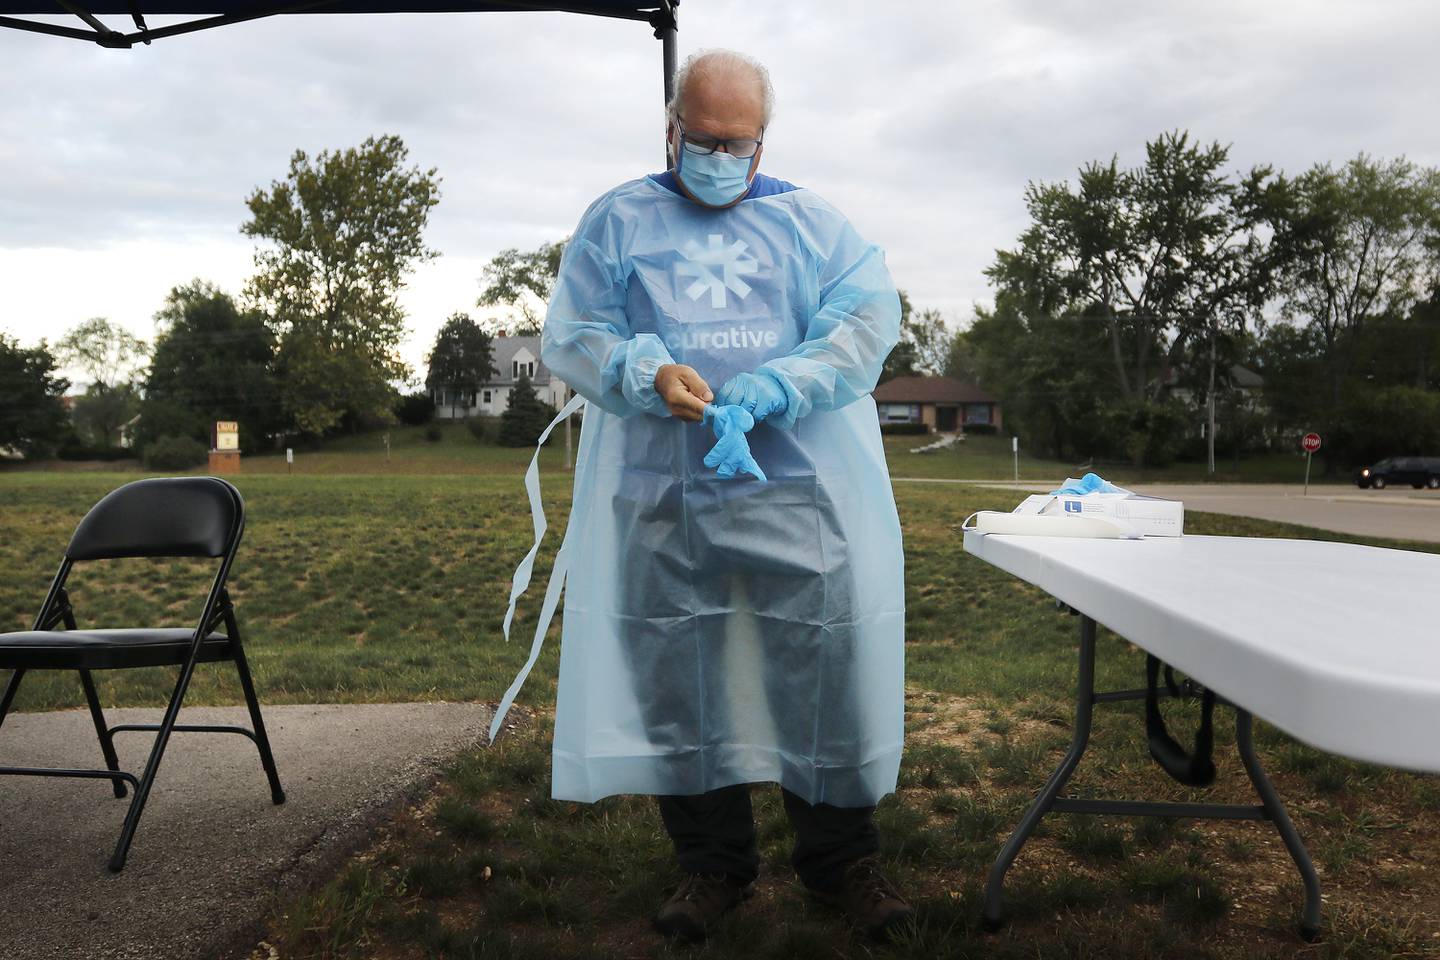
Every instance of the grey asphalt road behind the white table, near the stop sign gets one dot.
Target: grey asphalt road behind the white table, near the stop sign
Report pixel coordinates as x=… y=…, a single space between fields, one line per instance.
x=1402 y=515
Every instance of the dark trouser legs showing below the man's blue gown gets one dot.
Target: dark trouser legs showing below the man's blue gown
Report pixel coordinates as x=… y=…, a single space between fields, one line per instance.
x=715 y=834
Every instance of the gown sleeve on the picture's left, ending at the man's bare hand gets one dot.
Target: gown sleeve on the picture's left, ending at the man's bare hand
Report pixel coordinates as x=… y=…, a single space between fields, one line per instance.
x=587 y=339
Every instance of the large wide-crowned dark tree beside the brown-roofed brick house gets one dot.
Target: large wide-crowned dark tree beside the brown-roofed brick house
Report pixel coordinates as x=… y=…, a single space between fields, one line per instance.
x=1160 y=258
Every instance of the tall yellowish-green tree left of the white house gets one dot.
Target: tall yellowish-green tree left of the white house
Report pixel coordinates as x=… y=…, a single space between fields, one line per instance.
x=342 y=231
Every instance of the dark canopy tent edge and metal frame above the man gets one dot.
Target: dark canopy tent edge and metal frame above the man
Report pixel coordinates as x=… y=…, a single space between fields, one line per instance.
x=660 y=15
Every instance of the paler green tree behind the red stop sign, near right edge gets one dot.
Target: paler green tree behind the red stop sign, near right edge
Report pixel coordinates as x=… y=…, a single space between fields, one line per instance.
x=1360 y=235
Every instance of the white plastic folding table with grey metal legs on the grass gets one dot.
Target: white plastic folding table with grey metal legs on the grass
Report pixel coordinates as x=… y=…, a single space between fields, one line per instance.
x=1331 y=643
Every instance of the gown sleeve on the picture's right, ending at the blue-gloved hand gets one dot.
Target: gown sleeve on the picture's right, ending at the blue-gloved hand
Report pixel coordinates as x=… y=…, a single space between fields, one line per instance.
x=853 y=332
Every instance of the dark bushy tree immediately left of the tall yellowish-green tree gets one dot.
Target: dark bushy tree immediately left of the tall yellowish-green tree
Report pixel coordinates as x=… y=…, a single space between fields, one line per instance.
x=212 y=362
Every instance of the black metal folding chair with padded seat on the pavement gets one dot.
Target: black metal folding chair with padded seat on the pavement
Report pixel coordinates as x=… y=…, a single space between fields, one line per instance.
x=163 y=517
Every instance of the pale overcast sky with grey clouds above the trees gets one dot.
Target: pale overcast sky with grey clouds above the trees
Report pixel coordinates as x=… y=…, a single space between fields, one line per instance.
x=123 y=173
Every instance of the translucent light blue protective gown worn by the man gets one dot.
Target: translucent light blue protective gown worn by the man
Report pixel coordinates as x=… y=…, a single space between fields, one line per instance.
x=728 y=631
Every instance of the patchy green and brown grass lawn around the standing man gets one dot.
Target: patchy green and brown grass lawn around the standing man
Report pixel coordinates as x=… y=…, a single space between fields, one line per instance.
x=391 y=588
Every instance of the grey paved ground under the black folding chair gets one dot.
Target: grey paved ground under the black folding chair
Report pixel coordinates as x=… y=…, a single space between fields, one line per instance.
x=212 y=853
